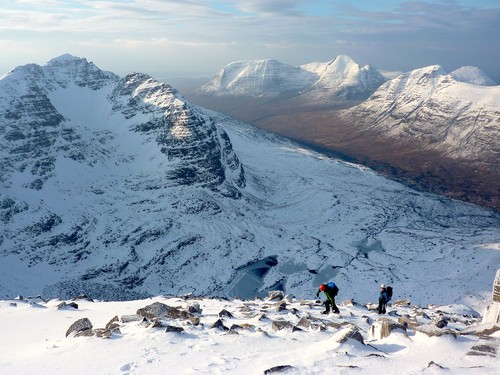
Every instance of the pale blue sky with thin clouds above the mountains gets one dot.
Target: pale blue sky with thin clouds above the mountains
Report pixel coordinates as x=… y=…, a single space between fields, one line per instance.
x=196 y=38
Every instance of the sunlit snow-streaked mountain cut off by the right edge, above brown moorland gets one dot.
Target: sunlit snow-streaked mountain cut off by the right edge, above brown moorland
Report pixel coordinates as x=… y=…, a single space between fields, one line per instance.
x=454 y=114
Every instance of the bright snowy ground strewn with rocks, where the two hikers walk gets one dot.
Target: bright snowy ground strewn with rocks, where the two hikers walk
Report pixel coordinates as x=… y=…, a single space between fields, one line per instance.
x=248 y=342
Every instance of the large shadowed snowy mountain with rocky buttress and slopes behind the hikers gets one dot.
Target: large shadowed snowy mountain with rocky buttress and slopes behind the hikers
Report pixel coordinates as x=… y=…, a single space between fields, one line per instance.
x=118 y=188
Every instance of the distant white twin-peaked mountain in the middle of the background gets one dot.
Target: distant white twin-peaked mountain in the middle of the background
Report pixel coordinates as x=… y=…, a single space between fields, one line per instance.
x=337 y=81
